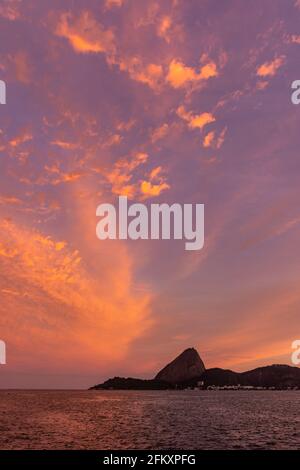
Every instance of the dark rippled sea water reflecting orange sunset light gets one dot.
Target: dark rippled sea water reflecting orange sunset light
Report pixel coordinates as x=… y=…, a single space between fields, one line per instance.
x=149 y=420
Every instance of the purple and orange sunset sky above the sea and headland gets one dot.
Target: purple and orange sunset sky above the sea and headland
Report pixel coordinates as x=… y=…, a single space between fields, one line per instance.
x=164 y=102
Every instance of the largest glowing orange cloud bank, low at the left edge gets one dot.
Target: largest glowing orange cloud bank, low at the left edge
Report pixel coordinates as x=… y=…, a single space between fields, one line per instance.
x=72 y=317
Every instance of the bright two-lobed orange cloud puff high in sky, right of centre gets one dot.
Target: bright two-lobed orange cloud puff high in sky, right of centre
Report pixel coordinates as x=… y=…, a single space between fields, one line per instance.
x=179 y=74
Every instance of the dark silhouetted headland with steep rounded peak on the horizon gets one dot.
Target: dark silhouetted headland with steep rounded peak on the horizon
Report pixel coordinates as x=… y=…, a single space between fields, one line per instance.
x=188 y=371
